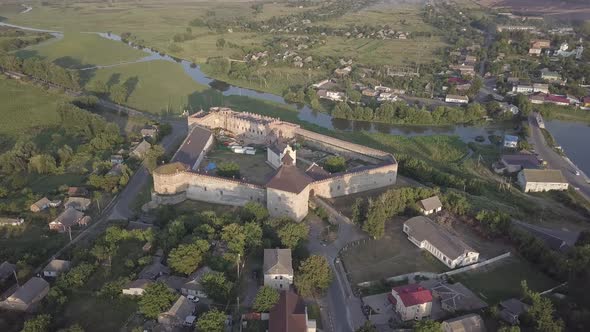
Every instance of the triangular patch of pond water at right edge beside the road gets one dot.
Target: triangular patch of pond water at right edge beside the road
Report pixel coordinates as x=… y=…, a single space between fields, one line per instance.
x=572 y=137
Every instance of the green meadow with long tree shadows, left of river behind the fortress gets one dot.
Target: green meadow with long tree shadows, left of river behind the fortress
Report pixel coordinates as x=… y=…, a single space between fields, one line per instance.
x=153 y=86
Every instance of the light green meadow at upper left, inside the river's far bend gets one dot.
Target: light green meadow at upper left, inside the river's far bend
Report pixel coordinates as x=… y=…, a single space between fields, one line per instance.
x=80 y=50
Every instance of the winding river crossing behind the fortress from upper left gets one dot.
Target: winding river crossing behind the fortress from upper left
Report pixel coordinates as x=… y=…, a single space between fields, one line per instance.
x=466 y=133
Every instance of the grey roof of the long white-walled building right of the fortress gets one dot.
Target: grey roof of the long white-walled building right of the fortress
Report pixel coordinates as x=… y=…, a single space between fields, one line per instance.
x=424 y=229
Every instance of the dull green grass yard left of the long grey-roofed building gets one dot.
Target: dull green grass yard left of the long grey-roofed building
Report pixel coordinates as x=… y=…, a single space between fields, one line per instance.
x=389 y=256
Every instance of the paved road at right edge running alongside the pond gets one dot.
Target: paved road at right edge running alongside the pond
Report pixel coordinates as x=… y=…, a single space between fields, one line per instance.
x=554 y=160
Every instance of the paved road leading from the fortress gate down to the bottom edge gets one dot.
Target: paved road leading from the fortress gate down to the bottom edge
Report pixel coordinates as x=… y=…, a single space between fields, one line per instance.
x=341 y=309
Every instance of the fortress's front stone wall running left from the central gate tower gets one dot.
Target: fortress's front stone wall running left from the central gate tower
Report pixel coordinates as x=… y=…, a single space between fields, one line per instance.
x=207 y=188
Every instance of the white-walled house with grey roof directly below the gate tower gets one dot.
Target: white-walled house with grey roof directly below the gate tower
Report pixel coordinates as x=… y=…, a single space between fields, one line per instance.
x=278 y=268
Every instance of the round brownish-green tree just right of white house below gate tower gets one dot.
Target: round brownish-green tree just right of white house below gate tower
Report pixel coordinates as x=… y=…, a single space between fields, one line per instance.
x=314 y=276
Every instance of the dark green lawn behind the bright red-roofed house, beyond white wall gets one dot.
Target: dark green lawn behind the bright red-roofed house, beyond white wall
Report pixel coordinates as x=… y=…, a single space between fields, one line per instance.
x=502 y=281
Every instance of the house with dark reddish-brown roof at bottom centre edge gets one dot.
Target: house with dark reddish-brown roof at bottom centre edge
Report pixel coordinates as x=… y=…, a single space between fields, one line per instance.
x=290 y=314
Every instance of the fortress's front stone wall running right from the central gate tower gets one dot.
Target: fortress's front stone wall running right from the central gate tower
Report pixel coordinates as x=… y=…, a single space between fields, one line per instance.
x=351 y=183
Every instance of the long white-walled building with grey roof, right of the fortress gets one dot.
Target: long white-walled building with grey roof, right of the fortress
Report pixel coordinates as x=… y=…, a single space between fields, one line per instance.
x=449 y=249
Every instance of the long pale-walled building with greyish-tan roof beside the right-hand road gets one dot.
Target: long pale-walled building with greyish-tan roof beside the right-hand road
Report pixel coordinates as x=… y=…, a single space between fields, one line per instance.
x=538 y=180
